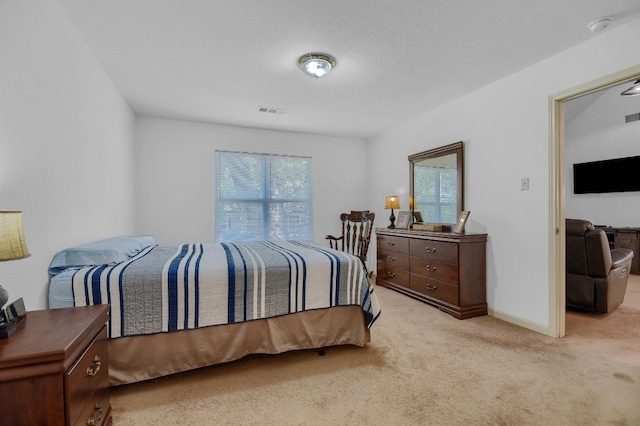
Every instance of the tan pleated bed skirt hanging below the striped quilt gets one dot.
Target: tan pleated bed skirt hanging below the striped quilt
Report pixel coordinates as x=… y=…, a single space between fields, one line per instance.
x=136 y=358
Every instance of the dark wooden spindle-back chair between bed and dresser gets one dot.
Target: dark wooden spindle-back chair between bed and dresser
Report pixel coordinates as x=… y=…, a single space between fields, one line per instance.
x=356 y=234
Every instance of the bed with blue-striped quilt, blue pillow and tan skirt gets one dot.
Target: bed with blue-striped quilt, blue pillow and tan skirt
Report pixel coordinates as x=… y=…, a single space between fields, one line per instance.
x=179 y=307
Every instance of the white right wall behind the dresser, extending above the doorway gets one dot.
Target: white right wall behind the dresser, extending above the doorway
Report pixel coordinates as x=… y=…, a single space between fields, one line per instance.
x=505 y=127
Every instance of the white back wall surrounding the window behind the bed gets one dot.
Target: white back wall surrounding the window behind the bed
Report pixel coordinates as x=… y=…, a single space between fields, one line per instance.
x=175 y=175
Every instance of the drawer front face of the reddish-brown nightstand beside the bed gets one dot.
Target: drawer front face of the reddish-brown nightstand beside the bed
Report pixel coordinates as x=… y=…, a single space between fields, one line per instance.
x=87 y=380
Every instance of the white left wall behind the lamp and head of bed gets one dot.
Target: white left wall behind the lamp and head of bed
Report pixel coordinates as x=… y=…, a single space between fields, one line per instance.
x=66 y=143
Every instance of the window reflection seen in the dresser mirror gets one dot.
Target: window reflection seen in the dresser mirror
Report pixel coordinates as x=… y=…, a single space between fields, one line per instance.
x=435 y=191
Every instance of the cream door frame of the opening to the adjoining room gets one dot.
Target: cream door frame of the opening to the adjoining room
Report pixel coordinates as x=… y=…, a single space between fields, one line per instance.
x=557 y=294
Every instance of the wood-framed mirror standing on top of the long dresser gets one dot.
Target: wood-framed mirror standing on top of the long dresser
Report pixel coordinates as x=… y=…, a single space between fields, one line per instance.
x=436 y=184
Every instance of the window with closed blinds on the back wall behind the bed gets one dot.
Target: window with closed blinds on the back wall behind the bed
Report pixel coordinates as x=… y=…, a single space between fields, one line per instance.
x=263 y=197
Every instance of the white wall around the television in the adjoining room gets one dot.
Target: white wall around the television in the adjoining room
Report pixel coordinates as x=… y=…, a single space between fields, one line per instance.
x=600 y=133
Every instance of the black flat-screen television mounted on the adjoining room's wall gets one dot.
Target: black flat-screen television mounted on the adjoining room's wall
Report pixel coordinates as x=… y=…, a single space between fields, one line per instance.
x=617 y=175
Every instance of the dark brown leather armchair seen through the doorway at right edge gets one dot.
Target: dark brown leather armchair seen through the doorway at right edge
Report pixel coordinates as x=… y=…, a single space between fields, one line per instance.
x=596 y=276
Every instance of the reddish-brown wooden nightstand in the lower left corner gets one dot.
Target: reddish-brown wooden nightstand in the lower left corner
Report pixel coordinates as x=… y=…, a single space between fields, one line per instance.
x=54 y=369
